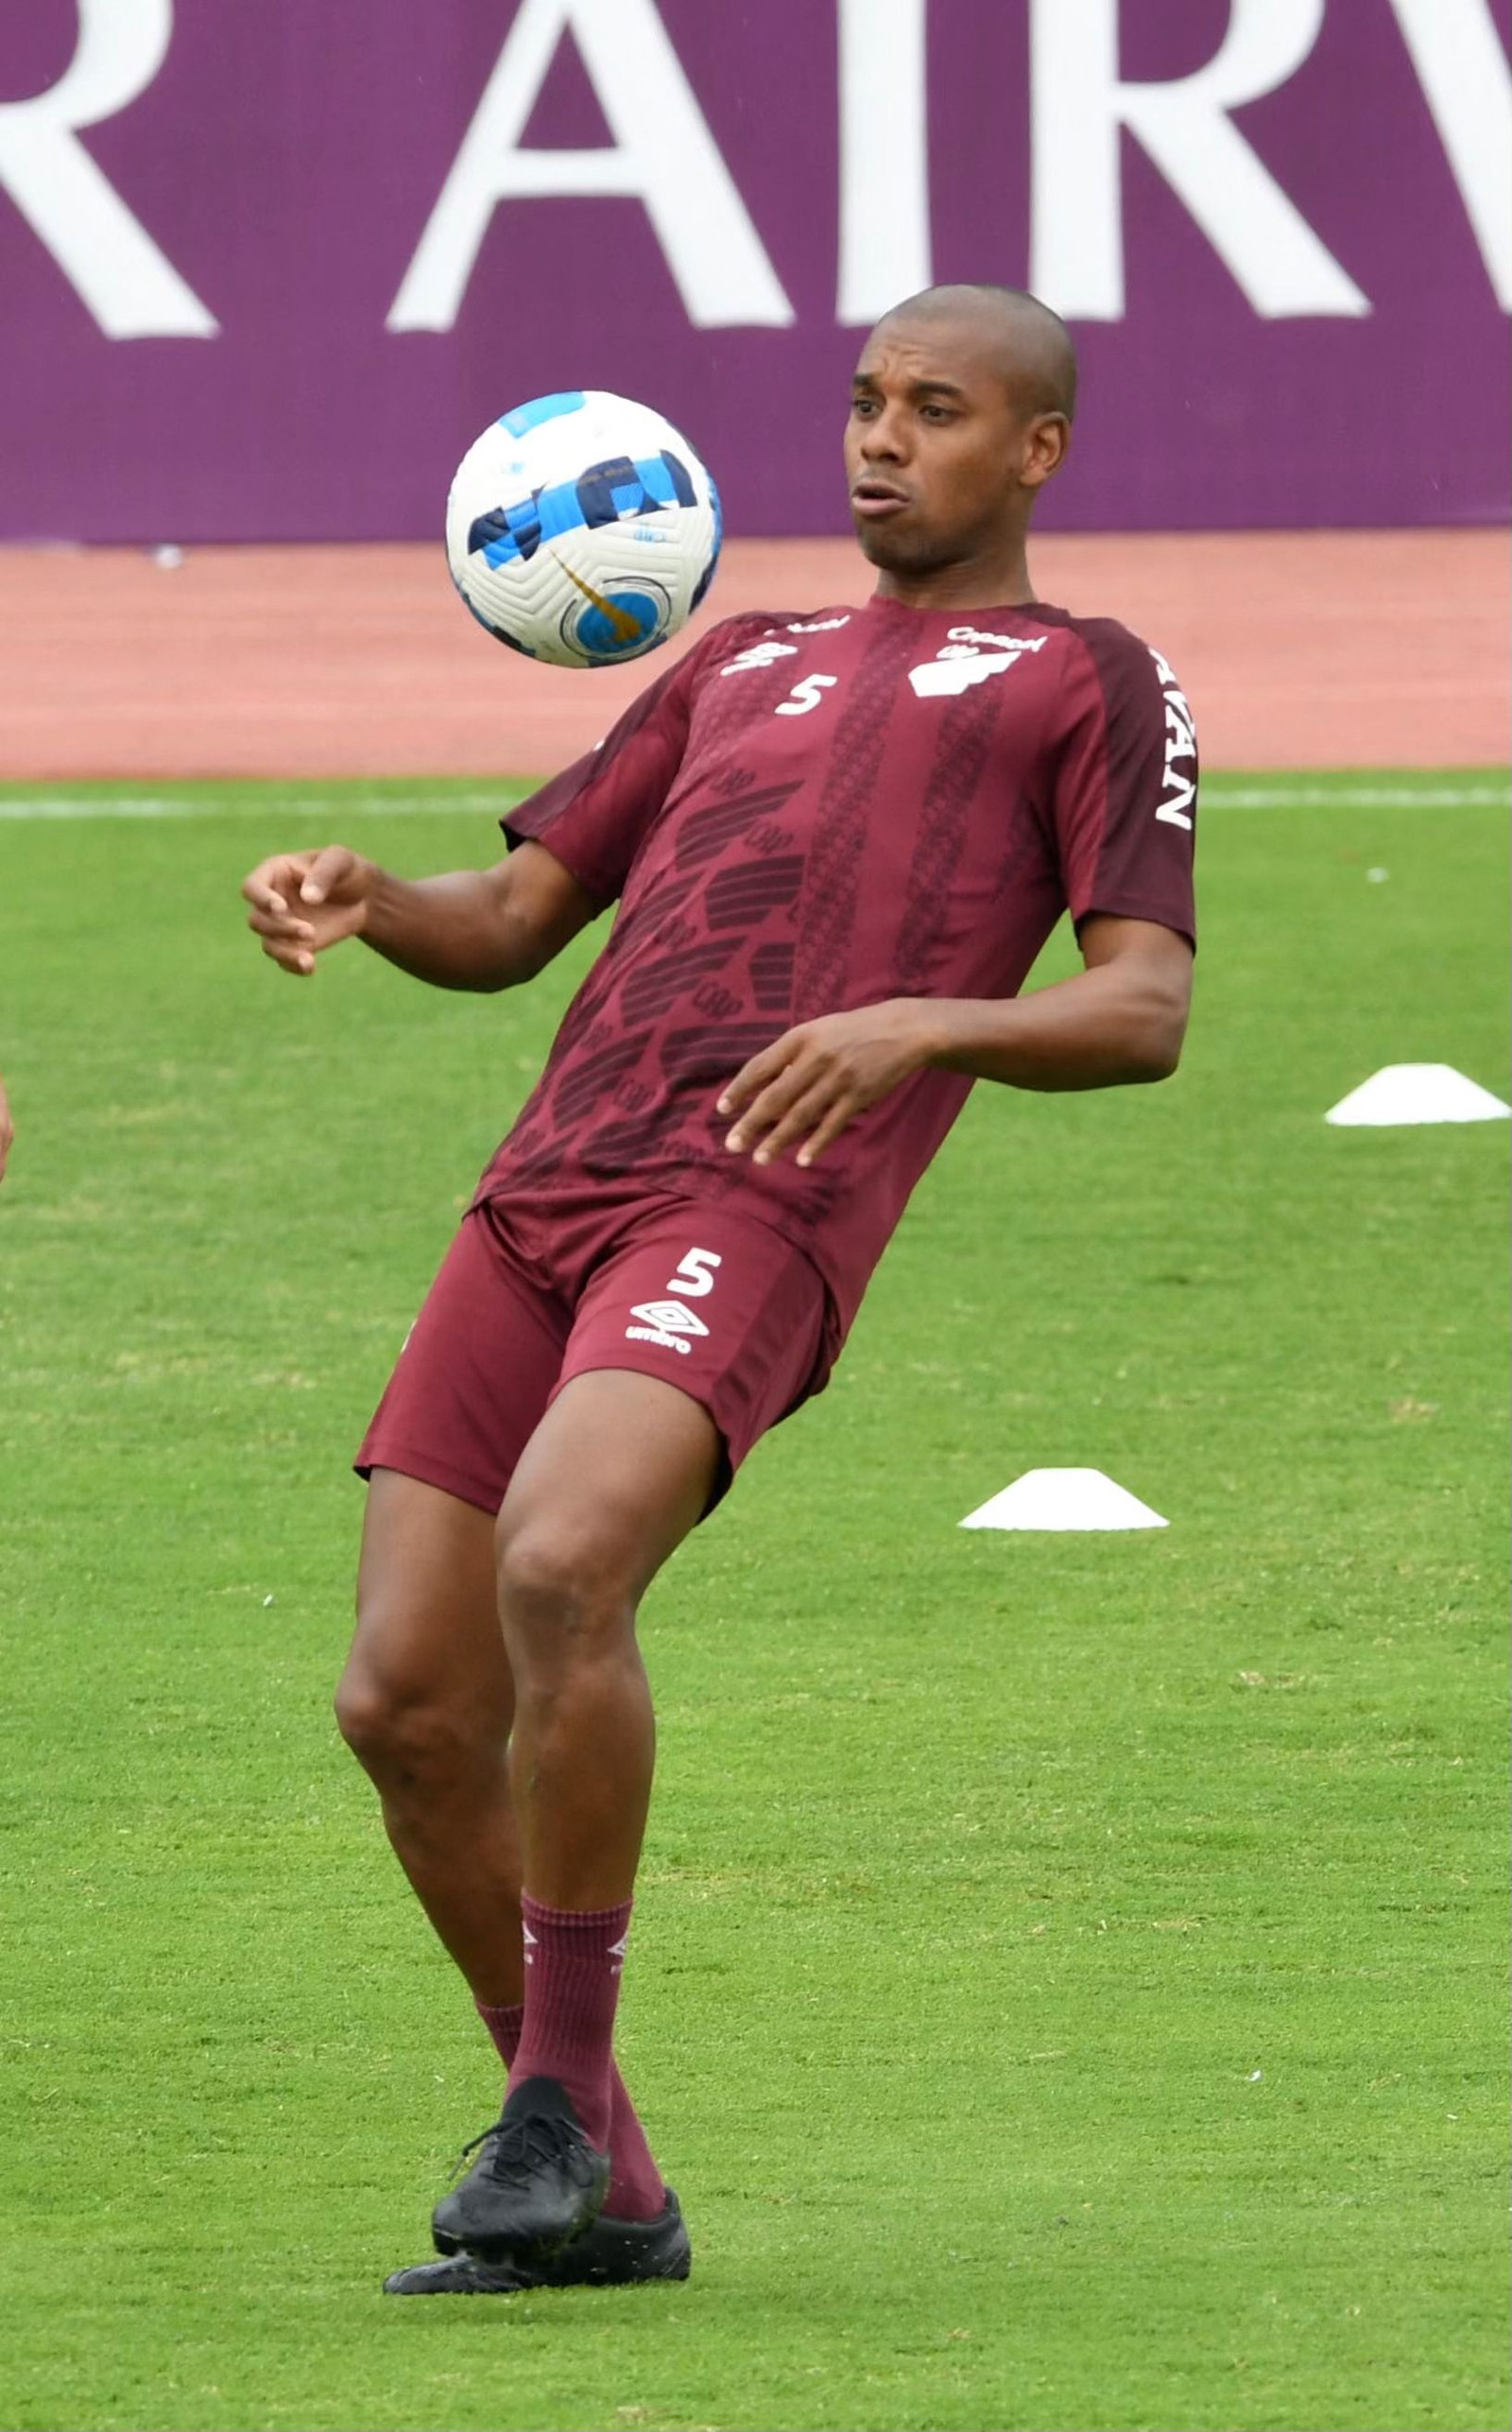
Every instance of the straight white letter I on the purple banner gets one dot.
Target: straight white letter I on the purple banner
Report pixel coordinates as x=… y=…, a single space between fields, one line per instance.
x=886 y=240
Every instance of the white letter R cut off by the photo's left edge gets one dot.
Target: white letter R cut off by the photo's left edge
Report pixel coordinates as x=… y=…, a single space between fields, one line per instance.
x=115 y=266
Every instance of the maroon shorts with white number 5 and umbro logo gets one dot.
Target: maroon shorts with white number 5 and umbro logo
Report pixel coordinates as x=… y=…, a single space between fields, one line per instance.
x=716 y=1305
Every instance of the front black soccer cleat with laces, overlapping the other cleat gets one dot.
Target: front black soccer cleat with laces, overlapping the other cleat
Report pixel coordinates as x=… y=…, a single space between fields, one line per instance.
x=536 y=2185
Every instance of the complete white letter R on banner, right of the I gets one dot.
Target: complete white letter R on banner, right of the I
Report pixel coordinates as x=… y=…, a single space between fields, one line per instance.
x=1078 y=203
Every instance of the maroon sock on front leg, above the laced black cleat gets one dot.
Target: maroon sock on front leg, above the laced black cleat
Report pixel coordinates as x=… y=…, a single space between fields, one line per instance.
x=572 y=1988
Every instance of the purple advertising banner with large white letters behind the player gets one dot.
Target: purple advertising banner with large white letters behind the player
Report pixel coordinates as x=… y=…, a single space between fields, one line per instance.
x=266 y=271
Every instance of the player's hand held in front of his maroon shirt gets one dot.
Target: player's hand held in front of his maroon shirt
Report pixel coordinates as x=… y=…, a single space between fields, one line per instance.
x=811 y=1083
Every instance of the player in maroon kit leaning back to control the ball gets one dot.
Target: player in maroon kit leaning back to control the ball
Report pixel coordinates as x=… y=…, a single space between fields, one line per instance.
x=837 y=845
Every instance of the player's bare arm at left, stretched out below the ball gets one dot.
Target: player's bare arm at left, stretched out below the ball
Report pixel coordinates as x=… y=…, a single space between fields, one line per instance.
x=478 y=930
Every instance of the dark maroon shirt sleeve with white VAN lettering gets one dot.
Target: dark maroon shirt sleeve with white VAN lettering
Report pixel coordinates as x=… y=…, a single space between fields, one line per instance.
x=1124 y=782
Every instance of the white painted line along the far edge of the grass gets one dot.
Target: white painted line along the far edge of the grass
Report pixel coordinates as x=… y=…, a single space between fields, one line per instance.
x=191 y=806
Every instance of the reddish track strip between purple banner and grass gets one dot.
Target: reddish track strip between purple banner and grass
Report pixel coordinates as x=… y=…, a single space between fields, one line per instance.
x=1326 y=651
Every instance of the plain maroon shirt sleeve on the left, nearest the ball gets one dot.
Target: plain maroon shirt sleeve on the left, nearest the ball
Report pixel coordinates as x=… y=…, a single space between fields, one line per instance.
x=597 y=814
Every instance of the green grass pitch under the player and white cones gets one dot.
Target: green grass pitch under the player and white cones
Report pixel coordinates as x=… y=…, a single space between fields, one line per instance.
x=1068 y=1971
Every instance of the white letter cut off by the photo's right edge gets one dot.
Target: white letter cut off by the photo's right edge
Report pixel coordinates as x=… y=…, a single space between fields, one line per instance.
x=1467 y=86
